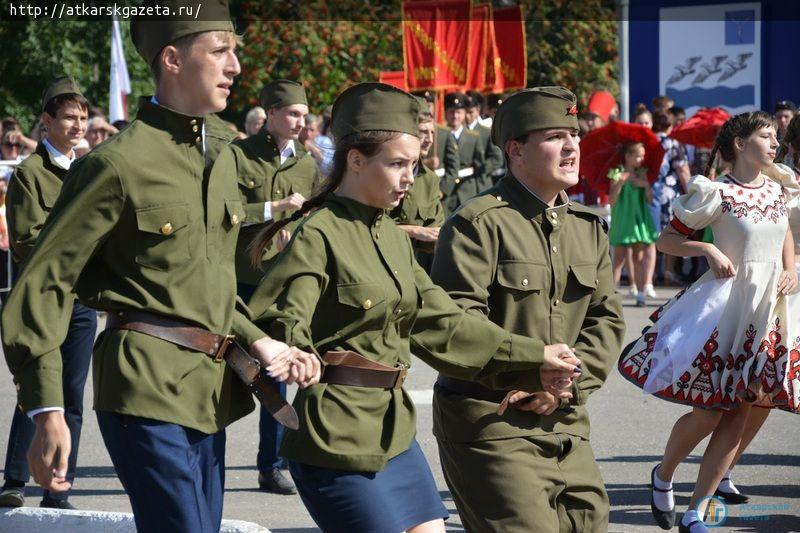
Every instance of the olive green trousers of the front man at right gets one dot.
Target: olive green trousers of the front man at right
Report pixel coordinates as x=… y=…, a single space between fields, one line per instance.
x=548 y=484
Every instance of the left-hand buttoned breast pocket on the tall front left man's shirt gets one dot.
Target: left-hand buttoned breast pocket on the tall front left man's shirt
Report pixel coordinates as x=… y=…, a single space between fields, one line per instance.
x=163 y=239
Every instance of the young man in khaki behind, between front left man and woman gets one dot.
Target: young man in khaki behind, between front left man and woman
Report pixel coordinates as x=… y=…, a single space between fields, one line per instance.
x=276 y=175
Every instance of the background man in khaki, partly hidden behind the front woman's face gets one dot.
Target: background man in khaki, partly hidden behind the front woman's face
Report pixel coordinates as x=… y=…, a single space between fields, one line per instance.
x=420 y=213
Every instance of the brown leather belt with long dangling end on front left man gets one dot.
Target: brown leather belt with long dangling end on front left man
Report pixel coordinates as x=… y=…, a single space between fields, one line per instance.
x=218 y=347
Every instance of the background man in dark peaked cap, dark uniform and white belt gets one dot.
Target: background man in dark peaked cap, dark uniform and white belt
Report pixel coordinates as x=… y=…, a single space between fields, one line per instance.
x=470 y=179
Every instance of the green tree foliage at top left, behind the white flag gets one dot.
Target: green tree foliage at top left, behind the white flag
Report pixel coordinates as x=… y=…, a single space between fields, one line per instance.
x=45 y=50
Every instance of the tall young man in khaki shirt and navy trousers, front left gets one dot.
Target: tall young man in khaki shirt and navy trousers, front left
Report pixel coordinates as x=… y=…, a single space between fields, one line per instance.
x=145 y=228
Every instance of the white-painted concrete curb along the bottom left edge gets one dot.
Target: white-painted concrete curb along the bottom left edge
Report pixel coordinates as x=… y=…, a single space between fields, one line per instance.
x=37 y=520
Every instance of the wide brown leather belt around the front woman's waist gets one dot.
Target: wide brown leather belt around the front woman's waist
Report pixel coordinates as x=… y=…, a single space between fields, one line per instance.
x=350 y=368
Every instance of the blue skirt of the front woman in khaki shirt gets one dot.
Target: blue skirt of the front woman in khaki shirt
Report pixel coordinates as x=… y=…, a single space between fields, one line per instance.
x=400 y=496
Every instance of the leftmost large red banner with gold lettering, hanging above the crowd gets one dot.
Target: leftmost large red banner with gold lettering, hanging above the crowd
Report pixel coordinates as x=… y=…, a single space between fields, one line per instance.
x=436 y=39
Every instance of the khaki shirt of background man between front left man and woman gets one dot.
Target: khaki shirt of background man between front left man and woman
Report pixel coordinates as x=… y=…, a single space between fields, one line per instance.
x=262 y=178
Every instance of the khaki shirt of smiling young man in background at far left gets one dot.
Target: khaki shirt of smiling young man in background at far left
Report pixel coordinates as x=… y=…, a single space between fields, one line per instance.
x=32 y=191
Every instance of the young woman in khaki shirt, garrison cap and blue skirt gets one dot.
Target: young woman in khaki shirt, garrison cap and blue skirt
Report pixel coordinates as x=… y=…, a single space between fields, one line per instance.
x=348 y=288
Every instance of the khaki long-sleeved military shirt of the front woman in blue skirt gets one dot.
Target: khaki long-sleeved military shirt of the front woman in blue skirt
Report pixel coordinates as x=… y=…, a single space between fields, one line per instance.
x=348 y=280
